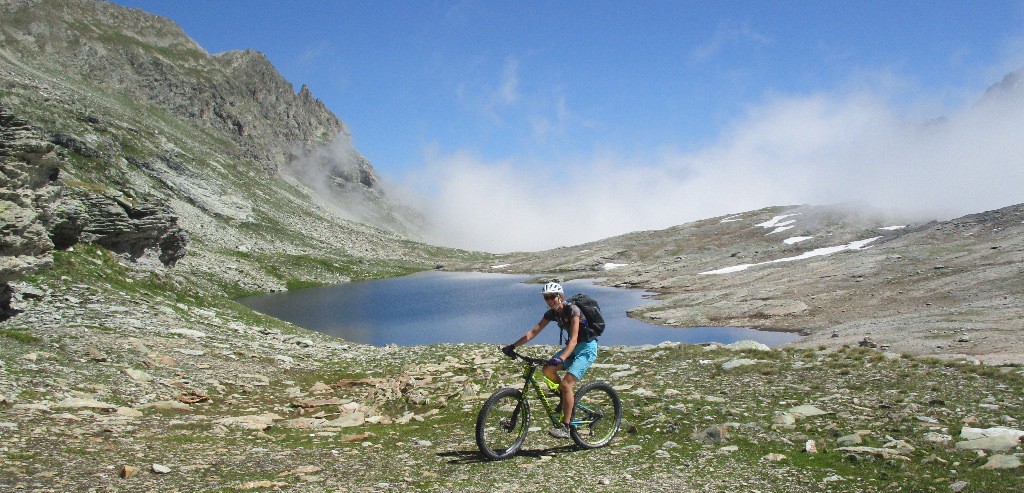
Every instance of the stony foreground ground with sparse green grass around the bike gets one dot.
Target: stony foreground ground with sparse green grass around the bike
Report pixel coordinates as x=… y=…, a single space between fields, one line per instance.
x=168 y=392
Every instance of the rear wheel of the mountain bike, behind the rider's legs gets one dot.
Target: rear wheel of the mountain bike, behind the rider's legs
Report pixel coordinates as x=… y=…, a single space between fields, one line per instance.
x=596 y=417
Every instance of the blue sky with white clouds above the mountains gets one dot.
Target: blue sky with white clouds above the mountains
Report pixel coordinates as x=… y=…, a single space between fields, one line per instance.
x=530 y=100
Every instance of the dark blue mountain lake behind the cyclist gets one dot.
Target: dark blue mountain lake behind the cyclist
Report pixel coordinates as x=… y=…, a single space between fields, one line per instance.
x=435 y=308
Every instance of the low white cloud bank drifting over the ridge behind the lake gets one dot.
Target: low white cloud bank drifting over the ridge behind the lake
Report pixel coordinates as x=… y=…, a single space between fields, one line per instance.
x=812 y=150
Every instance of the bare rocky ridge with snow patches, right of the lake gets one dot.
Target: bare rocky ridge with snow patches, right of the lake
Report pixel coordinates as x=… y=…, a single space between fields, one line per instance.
x=949 y=290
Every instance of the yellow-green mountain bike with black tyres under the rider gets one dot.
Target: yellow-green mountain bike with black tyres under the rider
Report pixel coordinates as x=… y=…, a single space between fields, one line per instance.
x=504 y=420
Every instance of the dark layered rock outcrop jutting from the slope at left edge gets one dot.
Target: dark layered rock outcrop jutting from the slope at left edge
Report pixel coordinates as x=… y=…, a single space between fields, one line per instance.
x=39 y=214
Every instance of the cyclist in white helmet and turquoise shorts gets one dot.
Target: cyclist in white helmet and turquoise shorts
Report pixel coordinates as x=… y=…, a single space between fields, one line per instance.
x=576 y=358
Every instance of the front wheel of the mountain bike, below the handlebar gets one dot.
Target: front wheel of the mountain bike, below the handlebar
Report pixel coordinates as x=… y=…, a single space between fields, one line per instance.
x=502 y=425
